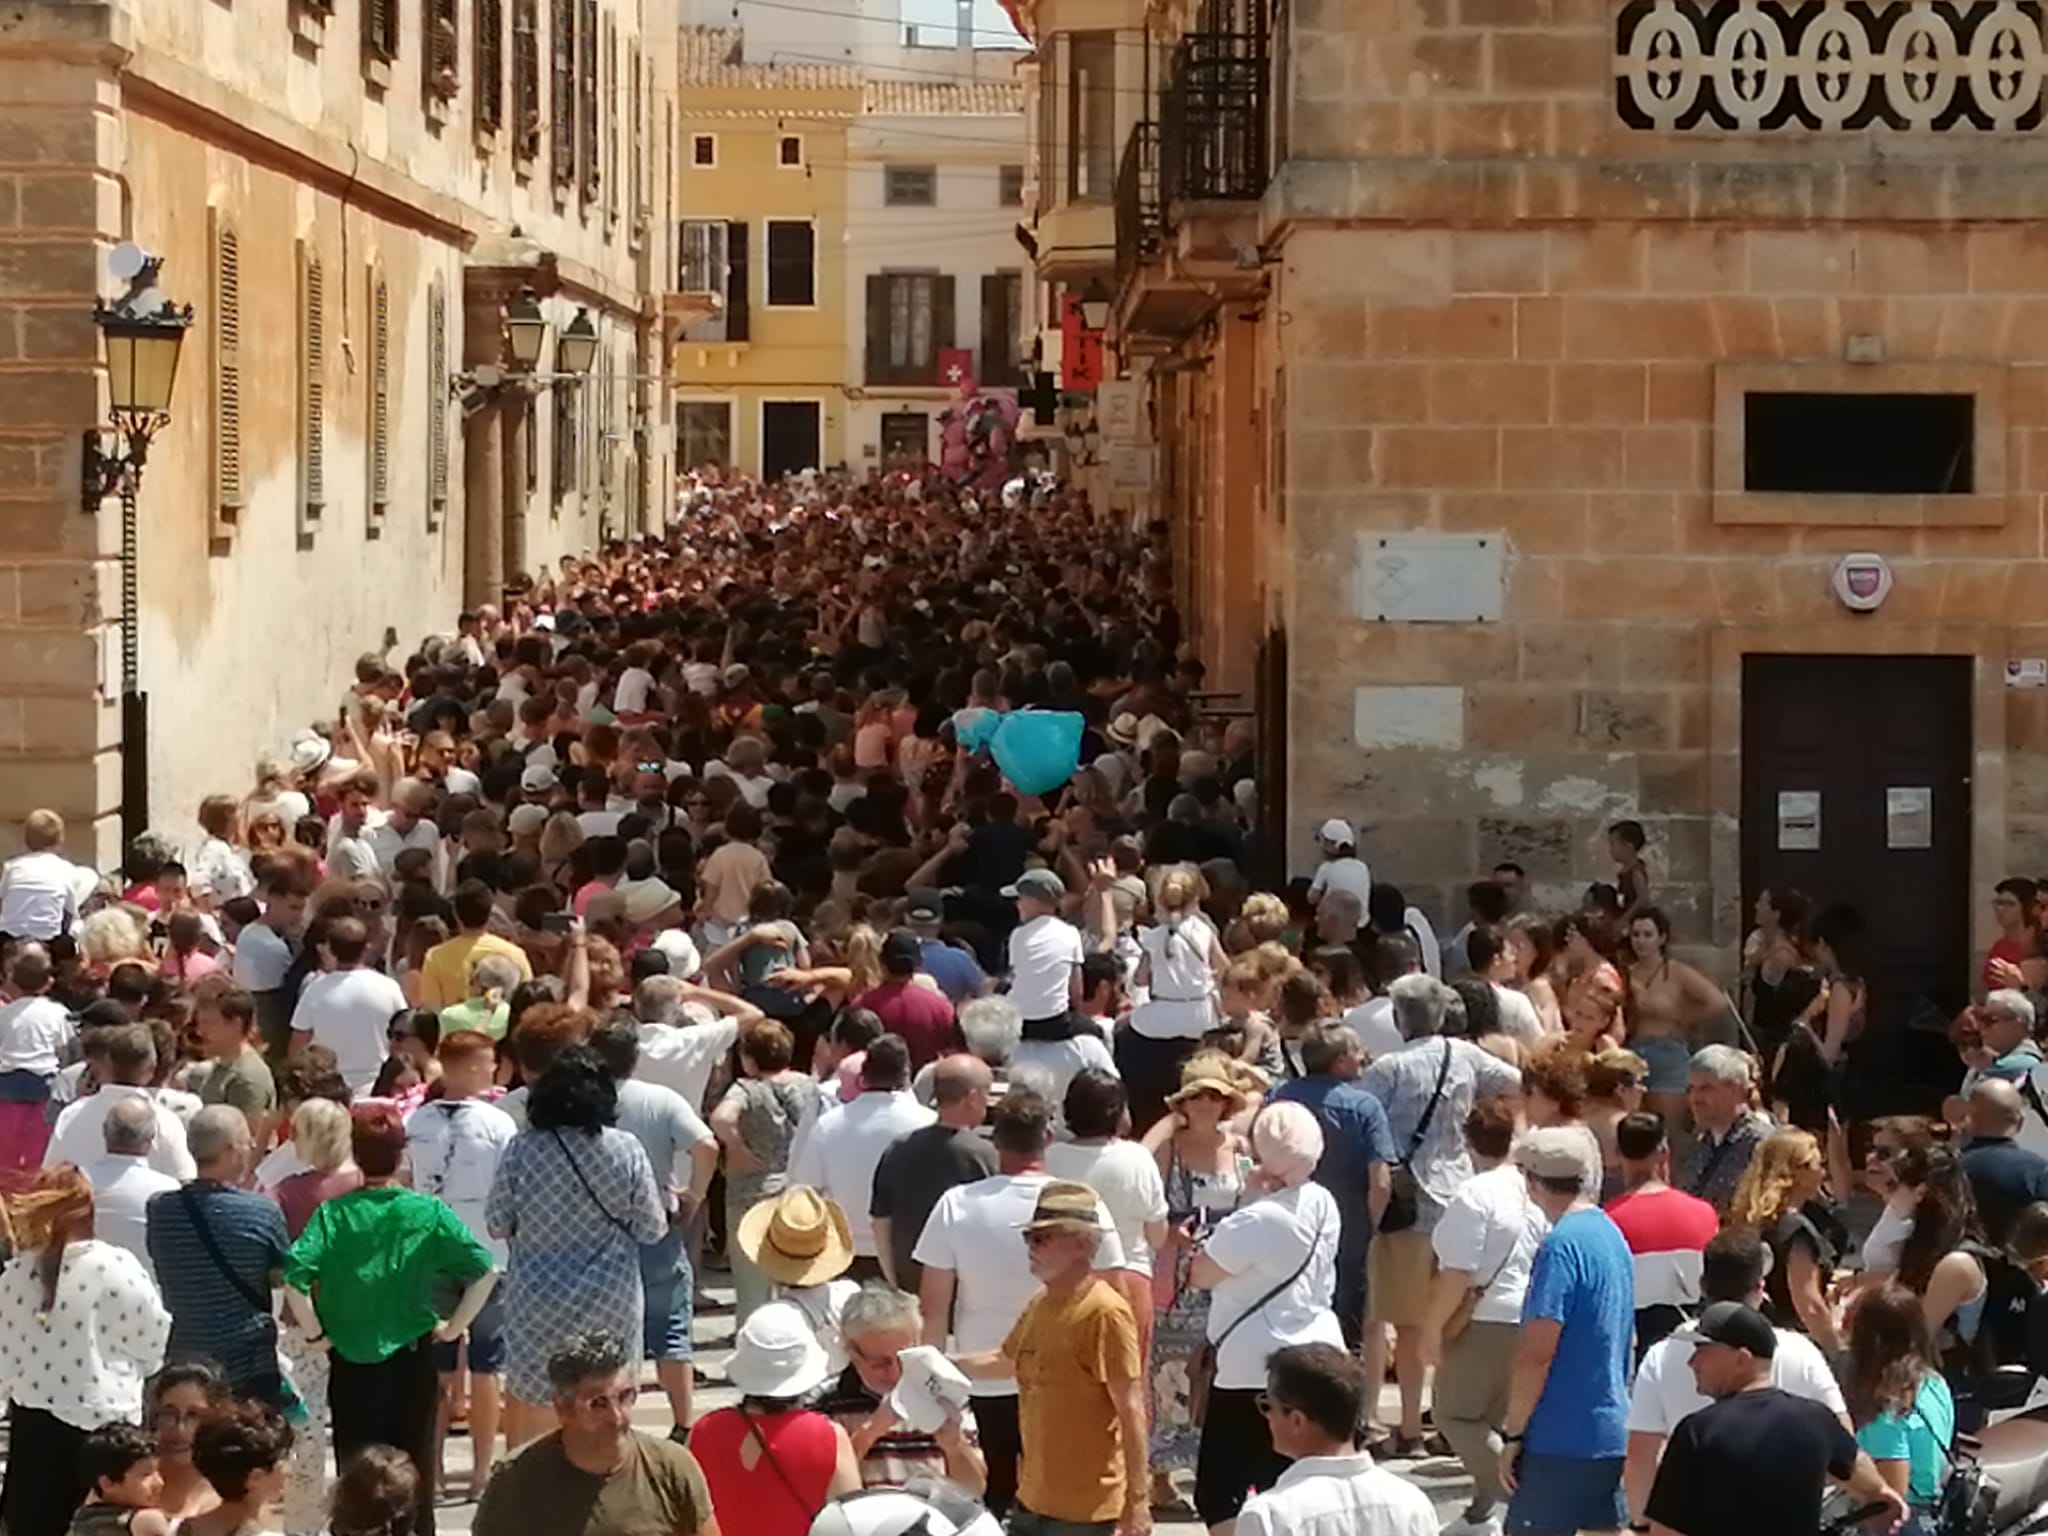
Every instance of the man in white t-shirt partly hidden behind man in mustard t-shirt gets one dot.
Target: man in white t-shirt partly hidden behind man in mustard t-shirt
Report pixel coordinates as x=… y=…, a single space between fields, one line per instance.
x=978 y=1271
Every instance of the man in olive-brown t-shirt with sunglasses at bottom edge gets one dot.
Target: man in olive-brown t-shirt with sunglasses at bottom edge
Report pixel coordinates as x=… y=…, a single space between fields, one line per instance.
x=597 y=1476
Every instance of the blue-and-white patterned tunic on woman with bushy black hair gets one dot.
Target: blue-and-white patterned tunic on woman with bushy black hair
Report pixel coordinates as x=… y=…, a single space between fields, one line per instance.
x=574 y=1211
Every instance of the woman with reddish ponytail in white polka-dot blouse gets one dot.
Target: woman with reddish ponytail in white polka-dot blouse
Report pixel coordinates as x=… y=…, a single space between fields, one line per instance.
x=81 y=1332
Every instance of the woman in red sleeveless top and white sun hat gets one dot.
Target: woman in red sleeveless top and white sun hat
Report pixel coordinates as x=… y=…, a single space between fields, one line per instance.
x=777 y=1461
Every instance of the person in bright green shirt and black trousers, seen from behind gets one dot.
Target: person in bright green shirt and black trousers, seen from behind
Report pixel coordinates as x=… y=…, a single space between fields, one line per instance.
x=361 y=1281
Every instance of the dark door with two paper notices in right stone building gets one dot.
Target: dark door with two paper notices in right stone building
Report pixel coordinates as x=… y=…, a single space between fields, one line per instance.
x=1857 y=792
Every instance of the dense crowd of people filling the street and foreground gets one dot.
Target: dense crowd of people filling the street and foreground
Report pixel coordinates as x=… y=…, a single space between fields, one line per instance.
x=859 y=890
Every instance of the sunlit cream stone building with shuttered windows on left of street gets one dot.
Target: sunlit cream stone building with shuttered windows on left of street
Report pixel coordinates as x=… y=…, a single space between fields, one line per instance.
x=347 y=194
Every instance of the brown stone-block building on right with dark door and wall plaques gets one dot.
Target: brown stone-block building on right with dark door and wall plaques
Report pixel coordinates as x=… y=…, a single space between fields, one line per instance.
x=1525 y=407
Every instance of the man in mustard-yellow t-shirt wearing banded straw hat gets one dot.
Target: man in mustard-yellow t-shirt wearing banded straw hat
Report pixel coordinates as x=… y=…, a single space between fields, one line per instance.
x=1080 y=1383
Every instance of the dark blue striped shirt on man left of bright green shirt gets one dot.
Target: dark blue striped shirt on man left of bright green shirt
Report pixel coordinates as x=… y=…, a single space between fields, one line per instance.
x=212 y=1316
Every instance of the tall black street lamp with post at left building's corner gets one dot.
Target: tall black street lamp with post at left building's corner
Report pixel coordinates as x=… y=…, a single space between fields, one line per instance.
x=144 y=335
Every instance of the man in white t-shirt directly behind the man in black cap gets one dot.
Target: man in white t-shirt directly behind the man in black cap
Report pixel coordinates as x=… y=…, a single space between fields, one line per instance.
x=1666 y=1392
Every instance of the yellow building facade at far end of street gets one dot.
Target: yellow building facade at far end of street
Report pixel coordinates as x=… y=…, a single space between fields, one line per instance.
x=761 y=196
